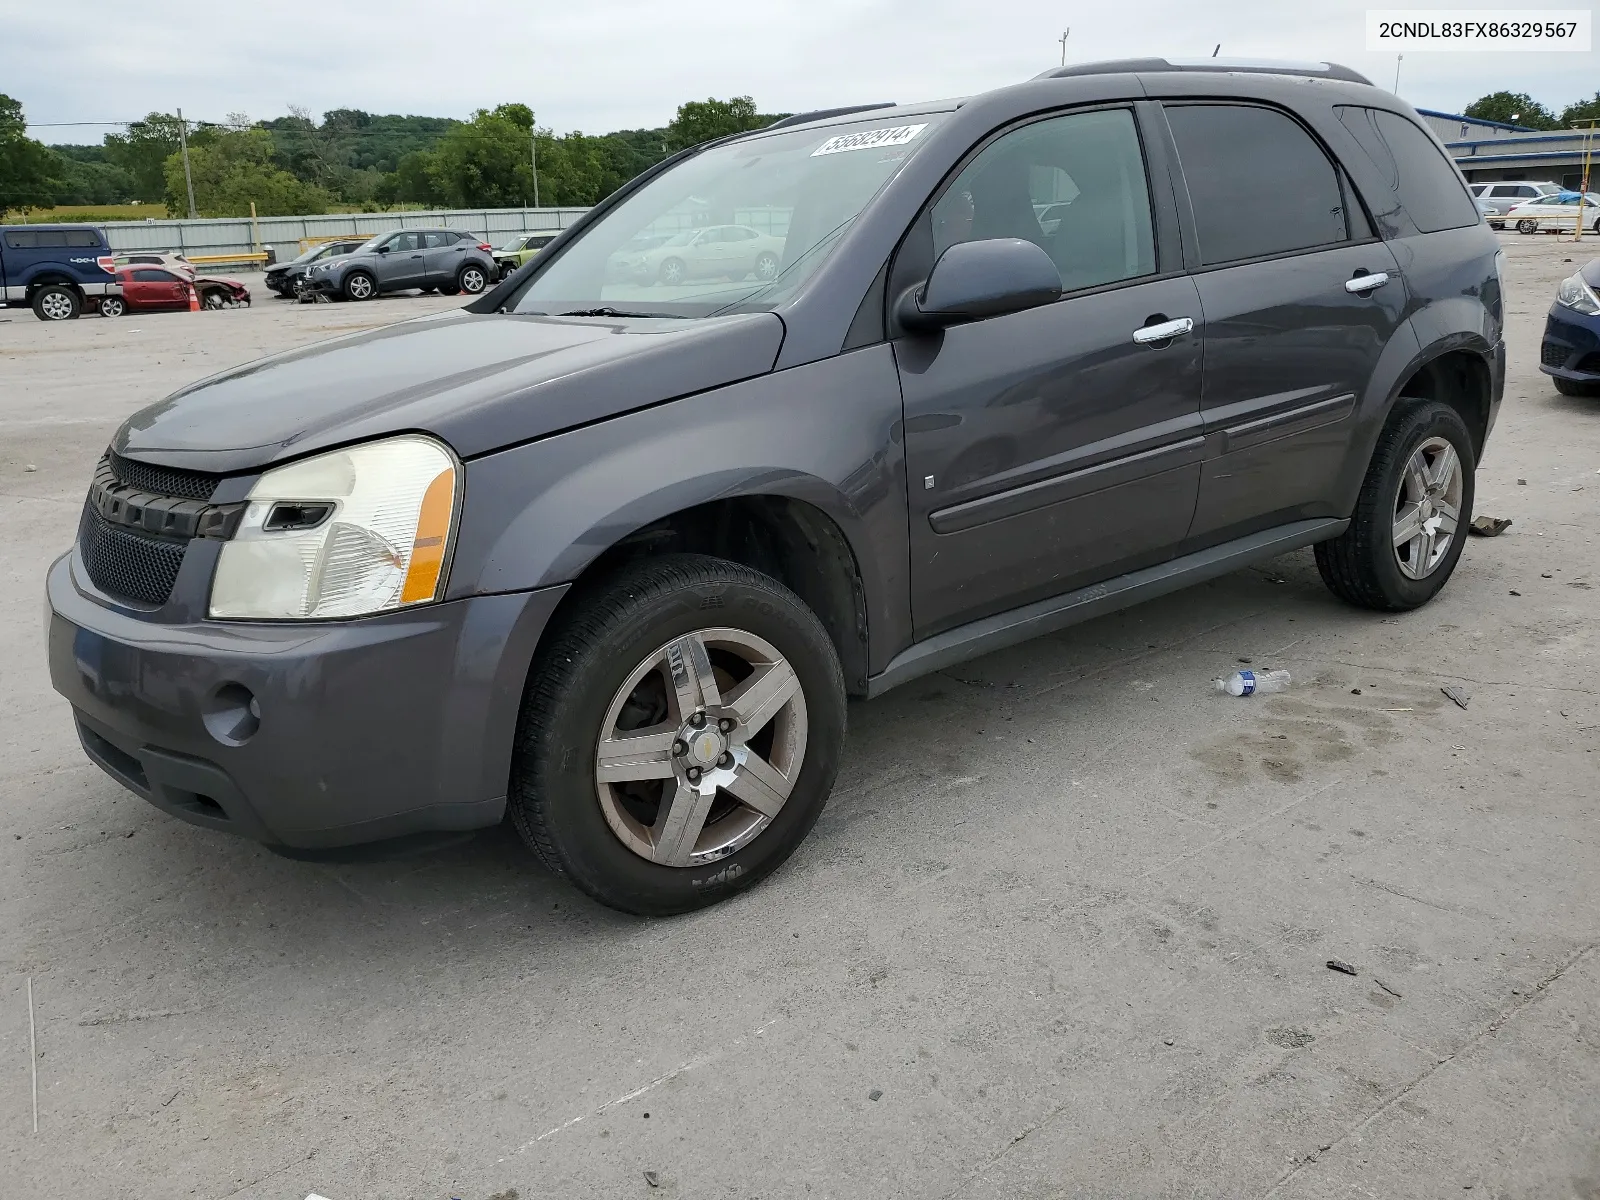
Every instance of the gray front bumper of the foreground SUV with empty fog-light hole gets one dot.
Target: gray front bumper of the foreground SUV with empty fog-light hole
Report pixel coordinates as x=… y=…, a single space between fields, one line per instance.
x=302 y=737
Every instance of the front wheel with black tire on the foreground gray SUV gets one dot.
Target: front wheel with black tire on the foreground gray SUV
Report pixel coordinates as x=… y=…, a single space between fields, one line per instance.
x=599 y=662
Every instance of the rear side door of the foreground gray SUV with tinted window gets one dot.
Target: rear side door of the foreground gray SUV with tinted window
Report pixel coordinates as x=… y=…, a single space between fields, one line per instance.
x=1300 y=298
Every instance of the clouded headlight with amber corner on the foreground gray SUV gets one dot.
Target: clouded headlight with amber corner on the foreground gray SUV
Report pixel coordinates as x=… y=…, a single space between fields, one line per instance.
x=356 y=532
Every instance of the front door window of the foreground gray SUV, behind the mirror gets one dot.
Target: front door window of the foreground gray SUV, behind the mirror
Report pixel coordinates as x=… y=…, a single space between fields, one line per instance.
x=1087 y=169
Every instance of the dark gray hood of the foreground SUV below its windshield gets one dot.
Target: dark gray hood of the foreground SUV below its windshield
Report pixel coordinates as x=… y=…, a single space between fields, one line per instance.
x=476 y=382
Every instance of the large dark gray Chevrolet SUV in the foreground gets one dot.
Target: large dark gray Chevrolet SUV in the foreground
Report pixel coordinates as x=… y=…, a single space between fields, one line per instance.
x=607 y=556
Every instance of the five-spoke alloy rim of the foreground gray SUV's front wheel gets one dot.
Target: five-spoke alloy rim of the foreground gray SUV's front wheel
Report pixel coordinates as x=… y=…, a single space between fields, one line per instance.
x=700 y=748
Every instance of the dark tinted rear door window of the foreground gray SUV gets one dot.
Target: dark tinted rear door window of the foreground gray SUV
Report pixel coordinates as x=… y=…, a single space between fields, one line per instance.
x=1257 y=182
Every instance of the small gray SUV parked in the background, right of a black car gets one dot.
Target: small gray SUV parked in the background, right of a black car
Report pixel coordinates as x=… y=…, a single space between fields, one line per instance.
x=412 y=258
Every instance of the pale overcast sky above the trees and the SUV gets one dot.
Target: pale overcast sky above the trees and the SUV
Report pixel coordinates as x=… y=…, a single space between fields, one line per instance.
x=610 y=65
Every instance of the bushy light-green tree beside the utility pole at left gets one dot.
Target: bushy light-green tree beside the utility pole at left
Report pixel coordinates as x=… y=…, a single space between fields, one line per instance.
x=234 y=167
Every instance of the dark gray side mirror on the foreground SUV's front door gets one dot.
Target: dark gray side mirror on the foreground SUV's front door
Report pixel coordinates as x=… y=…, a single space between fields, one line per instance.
x=982 y=279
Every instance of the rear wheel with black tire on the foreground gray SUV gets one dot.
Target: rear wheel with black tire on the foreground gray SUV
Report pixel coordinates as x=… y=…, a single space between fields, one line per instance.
x=1364 y=566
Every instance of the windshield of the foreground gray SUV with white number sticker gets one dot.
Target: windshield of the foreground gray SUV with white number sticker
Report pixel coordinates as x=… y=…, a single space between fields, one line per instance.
x=734 y=230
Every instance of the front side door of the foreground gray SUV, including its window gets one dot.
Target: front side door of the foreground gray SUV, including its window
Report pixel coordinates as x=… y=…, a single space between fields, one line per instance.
x=1055 y=447
